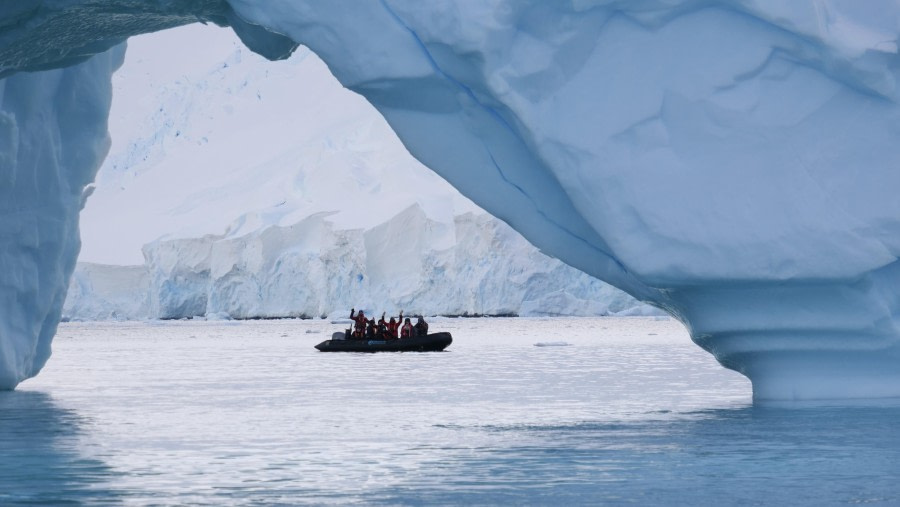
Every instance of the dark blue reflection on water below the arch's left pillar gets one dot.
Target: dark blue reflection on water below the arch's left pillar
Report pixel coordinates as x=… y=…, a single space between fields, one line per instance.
x=41 y=462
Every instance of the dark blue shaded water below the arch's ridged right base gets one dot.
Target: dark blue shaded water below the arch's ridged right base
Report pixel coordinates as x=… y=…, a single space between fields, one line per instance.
x=813 y=455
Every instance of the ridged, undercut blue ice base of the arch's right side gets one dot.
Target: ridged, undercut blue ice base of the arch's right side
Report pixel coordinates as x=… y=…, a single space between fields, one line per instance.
x=809 y=341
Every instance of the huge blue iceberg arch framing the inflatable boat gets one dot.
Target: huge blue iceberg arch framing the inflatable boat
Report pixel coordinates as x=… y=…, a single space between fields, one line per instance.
x=733 y=162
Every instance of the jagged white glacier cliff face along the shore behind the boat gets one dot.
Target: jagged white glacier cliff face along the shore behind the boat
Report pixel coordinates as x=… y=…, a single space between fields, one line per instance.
x=471 y=265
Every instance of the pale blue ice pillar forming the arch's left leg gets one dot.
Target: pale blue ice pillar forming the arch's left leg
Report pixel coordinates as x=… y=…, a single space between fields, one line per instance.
x=53 y=137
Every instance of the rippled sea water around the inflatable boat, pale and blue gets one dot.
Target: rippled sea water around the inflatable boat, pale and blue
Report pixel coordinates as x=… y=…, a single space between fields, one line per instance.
x=630 y=412
